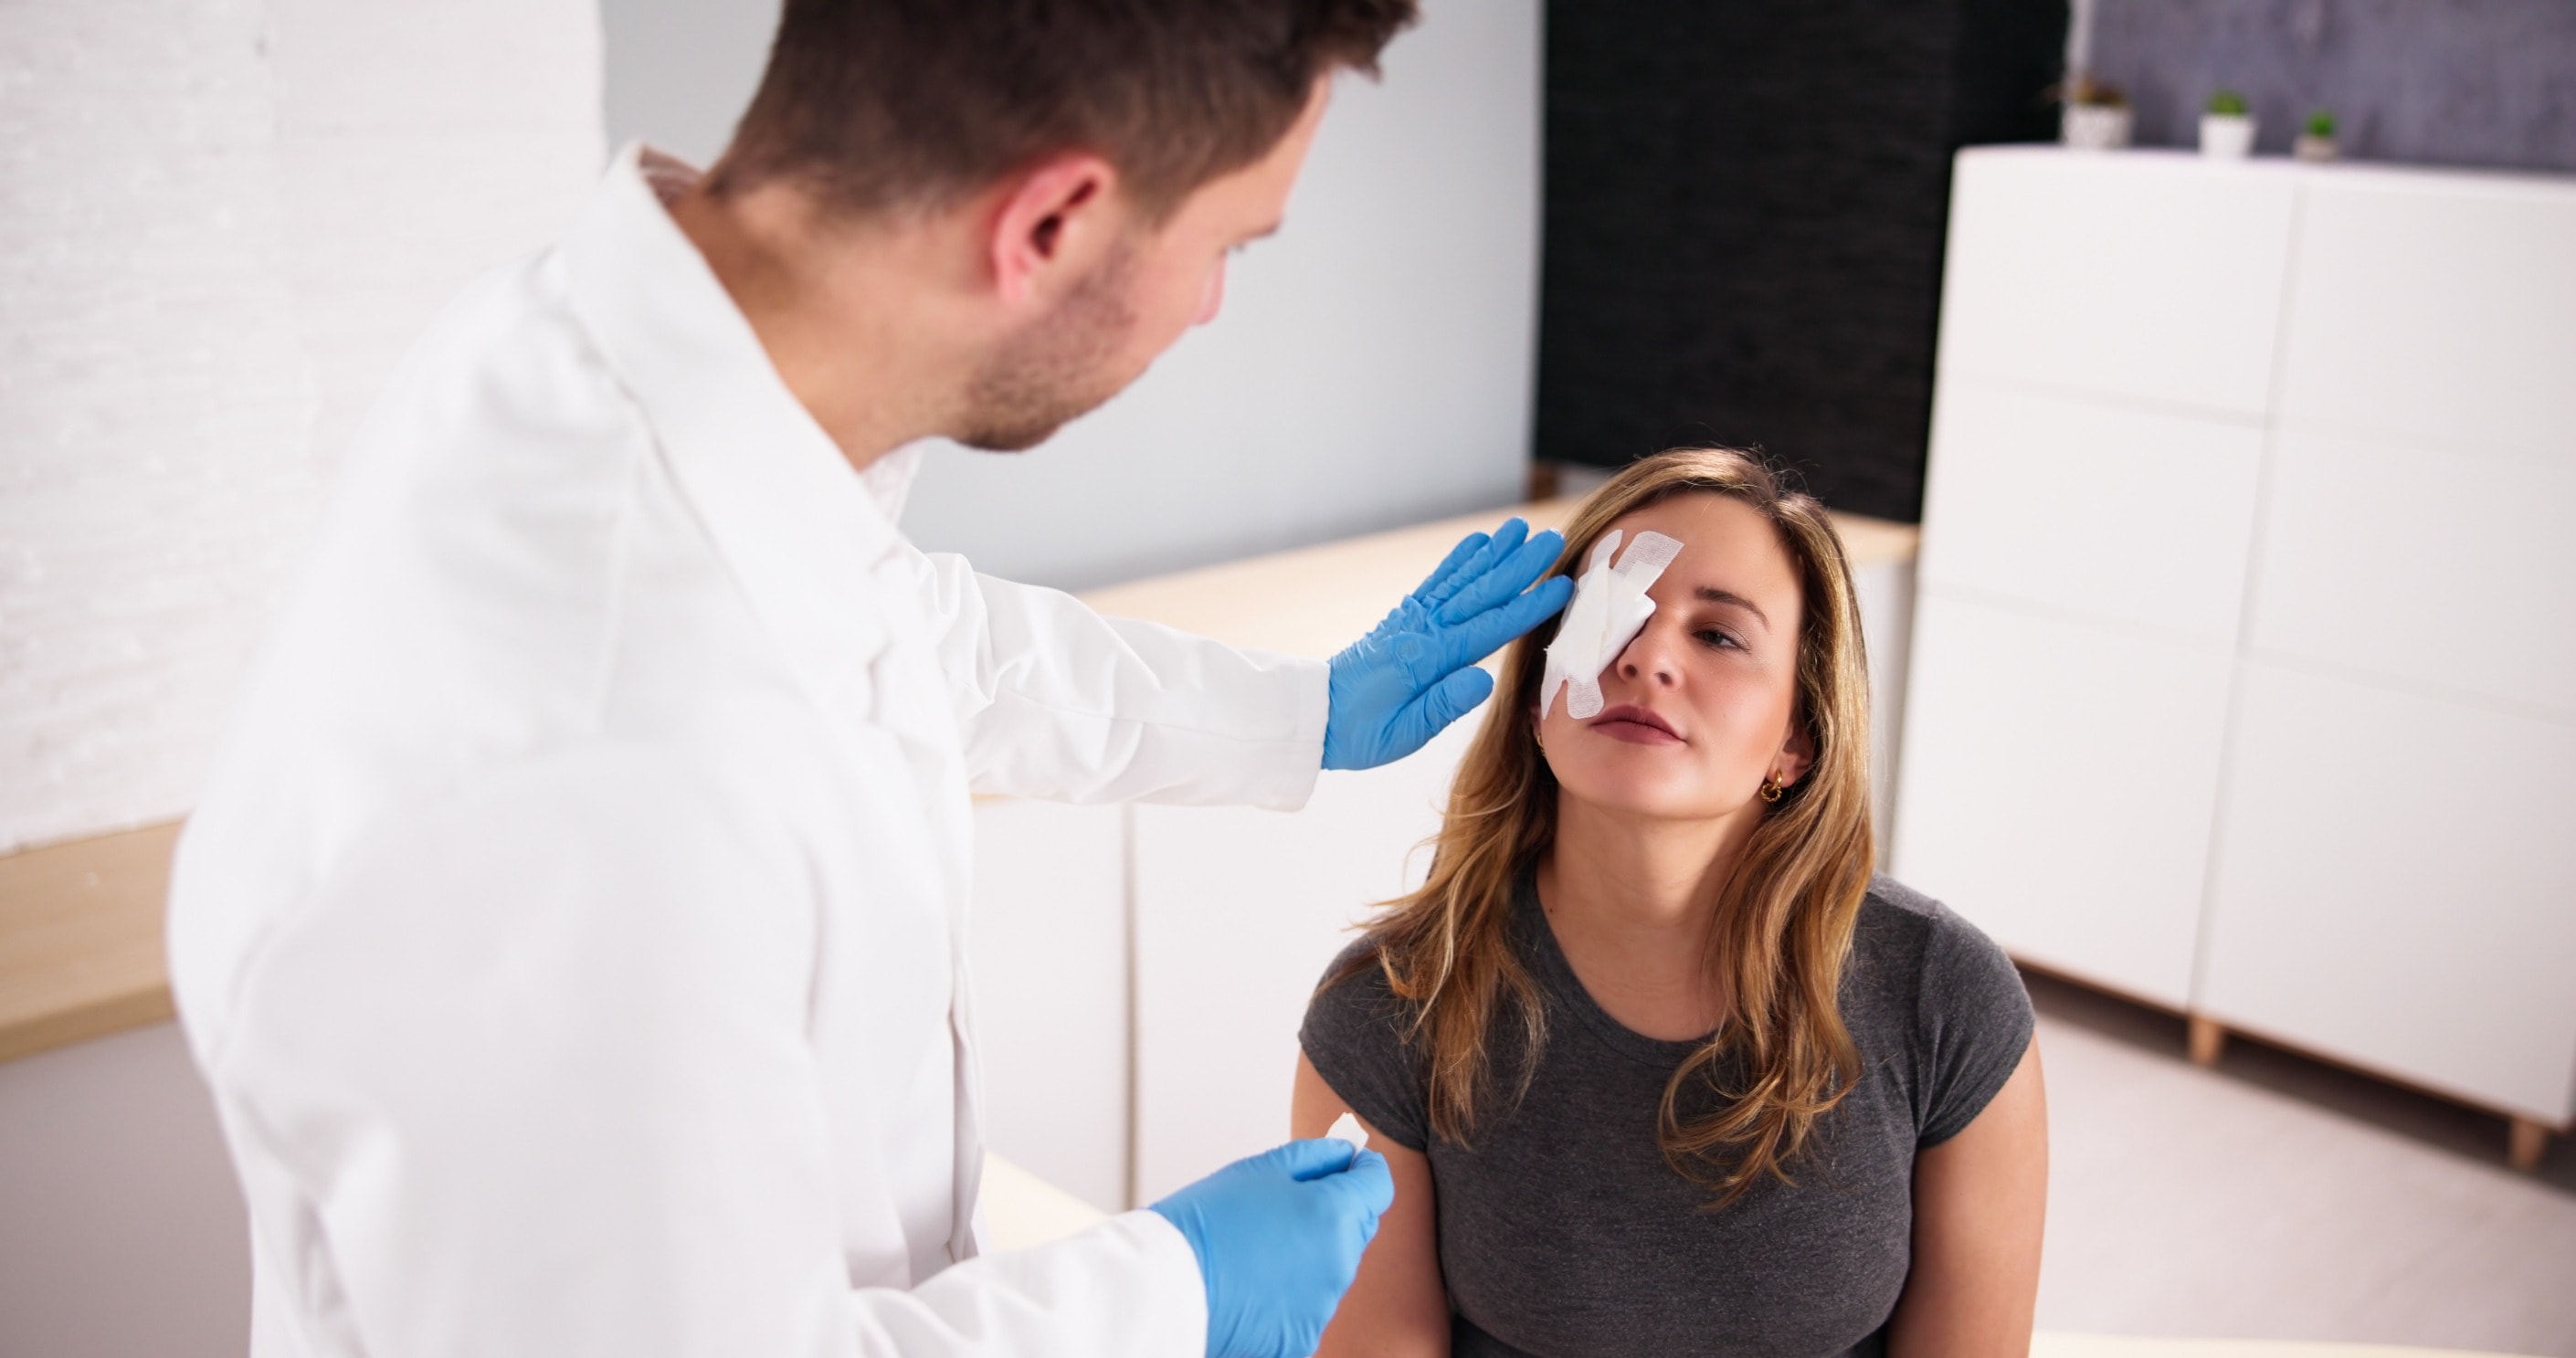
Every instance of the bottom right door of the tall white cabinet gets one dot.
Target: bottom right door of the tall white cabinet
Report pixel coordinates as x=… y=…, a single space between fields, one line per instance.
x=2394 y=888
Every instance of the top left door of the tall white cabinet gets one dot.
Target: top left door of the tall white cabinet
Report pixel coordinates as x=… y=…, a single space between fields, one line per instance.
x=2150 y=277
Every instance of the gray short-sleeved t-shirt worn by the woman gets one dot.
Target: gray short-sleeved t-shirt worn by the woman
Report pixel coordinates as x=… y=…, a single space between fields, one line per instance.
x=1567 y=1236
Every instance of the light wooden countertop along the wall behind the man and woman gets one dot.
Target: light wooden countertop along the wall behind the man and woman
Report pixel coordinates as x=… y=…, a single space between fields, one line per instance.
x=81 y=924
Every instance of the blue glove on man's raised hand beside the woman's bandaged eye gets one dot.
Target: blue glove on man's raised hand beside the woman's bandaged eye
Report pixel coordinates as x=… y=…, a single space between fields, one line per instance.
x=1416 y=671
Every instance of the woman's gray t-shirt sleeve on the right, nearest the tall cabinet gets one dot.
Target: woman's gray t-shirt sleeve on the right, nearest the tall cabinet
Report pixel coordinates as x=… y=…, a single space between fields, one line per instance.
x=1975 y=1027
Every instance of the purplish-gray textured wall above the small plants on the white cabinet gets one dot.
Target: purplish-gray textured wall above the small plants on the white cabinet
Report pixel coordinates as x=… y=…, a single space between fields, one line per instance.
x=2410 y=81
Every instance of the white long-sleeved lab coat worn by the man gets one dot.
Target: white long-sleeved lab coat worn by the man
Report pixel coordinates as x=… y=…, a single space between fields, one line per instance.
x=573 y=934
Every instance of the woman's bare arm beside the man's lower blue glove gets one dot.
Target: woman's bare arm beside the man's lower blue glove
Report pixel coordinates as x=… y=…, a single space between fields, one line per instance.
x=1397 y=1305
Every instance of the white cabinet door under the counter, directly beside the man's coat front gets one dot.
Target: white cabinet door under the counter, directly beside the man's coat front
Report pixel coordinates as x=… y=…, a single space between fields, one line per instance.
x=1050 y=991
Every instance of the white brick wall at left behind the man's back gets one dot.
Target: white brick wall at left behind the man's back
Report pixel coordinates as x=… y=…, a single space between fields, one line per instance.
x=220 y=225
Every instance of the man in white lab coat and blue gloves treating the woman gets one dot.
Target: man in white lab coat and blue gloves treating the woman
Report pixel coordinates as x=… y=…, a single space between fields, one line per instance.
x=573 y=929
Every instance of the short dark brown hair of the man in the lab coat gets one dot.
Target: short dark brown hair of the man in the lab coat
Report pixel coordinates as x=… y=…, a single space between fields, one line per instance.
x=885 y=104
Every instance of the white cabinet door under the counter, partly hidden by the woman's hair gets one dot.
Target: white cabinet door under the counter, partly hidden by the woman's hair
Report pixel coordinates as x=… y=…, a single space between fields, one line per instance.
x=1238 y=913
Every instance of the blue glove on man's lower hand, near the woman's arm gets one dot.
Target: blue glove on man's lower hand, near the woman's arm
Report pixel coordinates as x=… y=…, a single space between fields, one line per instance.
x=1279 y=1241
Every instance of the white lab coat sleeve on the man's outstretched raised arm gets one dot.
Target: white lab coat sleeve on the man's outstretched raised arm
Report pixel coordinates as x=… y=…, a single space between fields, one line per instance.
x=1065 y=705
